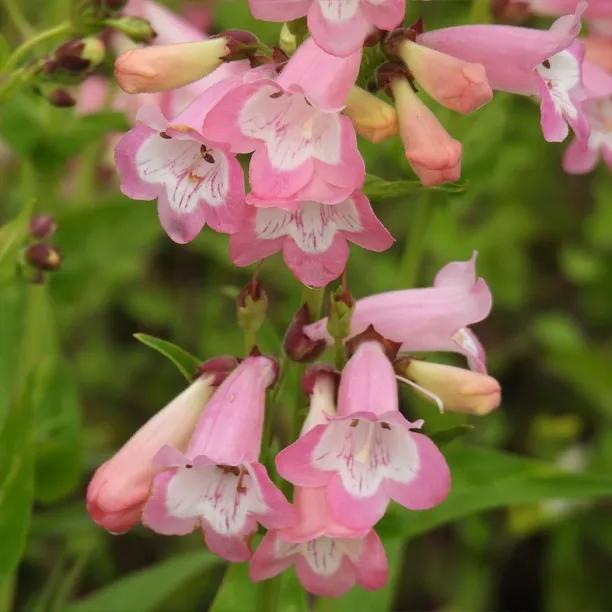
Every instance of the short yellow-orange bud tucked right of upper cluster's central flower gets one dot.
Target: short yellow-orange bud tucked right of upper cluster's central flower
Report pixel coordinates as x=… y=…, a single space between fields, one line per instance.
x=372 y=117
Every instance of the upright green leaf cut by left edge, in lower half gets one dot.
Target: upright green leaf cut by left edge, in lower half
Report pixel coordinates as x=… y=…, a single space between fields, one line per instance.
x=16 y=479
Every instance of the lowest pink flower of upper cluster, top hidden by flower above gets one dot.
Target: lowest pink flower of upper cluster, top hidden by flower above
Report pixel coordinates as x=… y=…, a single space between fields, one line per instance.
x=313 y=237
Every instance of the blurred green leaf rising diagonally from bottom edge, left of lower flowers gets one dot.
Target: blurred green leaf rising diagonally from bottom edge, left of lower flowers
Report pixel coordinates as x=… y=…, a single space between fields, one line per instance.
x=148 y=589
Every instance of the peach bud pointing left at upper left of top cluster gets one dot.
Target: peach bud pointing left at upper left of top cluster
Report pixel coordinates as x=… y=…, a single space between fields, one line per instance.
x=163 y=67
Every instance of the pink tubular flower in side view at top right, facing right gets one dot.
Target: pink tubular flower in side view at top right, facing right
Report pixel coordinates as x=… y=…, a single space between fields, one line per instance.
x=530 y=62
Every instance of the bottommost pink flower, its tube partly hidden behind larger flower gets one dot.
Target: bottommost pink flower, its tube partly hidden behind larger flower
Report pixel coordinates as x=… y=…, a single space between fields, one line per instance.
x=328 y=557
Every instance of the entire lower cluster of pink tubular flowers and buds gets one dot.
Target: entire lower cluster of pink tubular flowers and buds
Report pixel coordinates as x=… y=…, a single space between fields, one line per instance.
x=196 y=464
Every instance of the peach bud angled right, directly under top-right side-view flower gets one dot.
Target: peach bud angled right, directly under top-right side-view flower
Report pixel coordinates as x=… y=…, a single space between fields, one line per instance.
x=459 y=85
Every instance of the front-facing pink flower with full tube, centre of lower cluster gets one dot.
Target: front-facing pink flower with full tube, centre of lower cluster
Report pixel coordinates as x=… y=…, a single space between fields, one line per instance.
x=368 y=454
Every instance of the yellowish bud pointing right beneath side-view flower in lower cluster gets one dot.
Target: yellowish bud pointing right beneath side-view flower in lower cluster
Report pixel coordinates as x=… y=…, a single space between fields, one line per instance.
x=460 y=390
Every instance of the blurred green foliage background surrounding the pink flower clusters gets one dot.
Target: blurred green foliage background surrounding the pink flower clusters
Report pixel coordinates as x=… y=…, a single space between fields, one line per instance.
x=528 y=524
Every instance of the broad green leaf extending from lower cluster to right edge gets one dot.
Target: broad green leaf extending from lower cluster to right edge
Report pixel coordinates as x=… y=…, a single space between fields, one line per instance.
x=484 y=479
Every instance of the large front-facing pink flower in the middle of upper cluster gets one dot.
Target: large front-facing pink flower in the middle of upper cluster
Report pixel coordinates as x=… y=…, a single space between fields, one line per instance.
x=303 y=149
